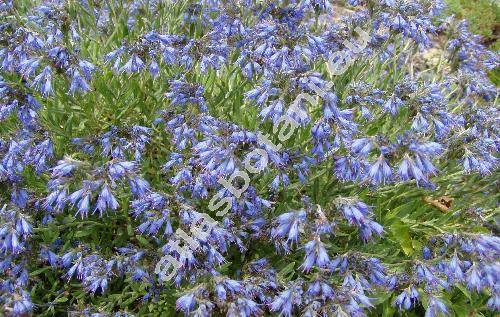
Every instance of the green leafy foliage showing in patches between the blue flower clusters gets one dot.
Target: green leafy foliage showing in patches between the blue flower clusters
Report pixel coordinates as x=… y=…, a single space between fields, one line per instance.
x=403 y=208
